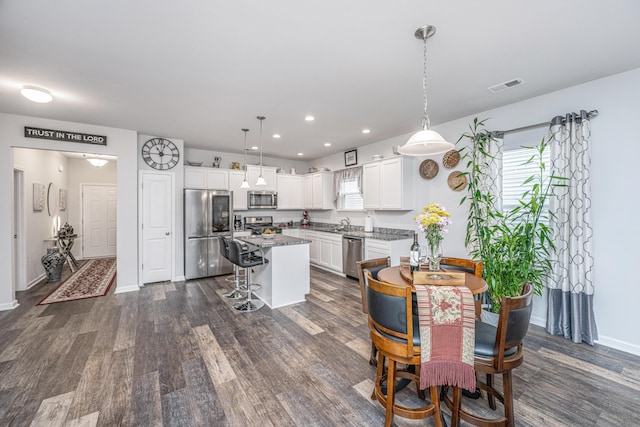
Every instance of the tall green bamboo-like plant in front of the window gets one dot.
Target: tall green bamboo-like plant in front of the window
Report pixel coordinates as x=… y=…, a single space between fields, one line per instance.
x=514 y=246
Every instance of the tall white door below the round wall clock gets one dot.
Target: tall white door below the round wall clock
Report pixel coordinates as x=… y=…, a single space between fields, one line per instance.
x=157 y=227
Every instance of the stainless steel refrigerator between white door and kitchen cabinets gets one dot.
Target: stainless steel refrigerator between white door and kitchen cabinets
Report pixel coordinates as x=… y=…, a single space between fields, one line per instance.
x=208 y=215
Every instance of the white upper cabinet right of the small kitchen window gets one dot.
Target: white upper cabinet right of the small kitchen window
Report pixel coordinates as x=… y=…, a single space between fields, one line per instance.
x=388 y=184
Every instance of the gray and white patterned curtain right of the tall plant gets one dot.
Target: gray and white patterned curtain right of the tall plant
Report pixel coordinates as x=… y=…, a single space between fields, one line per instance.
x=570 y=311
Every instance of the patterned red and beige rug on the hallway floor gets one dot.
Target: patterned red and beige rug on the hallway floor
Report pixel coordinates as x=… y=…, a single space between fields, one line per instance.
x=92 y=279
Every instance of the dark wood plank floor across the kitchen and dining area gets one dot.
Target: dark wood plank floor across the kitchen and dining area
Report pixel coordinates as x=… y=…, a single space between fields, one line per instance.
x=175 y=354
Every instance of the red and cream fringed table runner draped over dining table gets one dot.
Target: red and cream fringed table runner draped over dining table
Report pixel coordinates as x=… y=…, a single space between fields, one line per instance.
x=447 y=334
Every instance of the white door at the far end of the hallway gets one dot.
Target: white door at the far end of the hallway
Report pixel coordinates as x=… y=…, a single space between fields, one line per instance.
x=98 y=221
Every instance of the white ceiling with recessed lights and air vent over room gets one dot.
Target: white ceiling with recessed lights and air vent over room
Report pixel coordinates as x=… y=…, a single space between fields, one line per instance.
x=201 y=70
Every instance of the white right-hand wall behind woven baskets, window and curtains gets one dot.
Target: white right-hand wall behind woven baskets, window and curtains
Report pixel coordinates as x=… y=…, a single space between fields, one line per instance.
x=615 y=152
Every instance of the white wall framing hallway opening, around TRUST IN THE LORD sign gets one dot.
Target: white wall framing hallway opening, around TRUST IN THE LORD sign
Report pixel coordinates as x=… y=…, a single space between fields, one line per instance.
x=121 y=143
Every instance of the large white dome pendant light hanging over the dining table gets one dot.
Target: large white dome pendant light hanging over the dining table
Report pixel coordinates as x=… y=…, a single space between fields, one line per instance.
x=425 y=142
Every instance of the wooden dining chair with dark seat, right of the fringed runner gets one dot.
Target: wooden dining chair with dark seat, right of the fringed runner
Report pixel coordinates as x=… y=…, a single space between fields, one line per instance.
x=498 y=350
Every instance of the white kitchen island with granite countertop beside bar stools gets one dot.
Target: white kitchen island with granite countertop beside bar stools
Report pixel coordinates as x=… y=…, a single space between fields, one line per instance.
x=286 y=278
